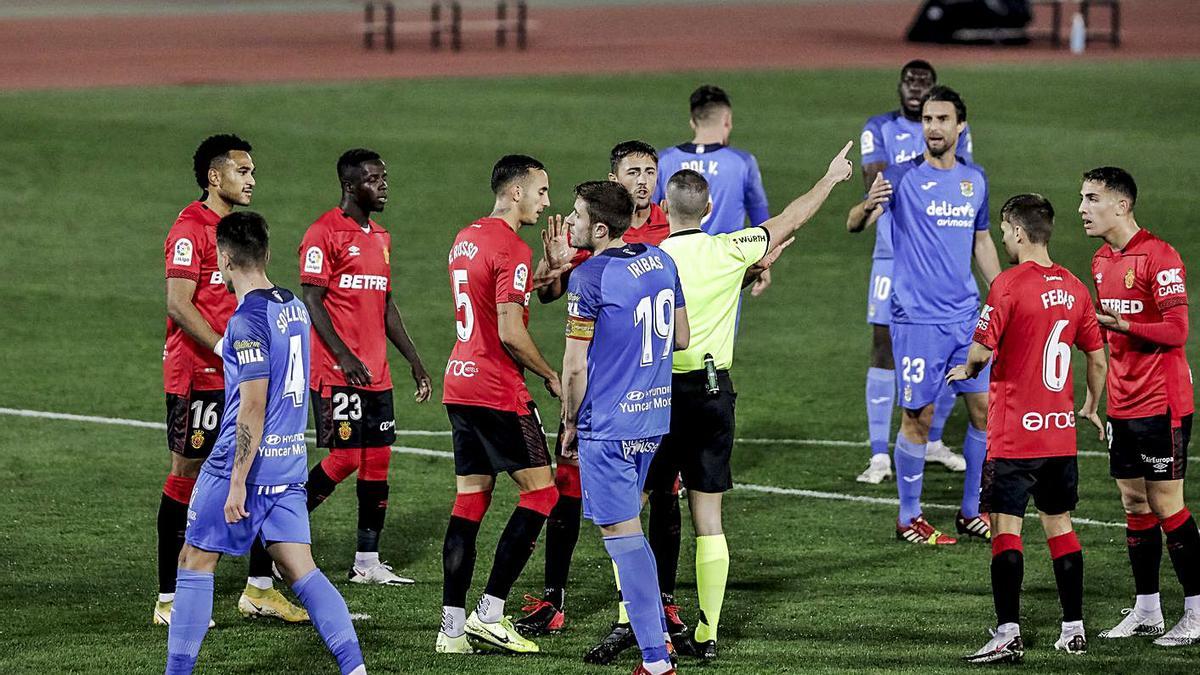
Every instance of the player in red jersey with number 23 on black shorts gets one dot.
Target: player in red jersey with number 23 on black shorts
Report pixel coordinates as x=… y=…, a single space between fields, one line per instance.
x=346 y=273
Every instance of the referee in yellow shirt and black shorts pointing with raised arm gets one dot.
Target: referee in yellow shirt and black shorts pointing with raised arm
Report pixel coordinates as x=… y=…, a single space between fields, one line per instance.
x=713 y=271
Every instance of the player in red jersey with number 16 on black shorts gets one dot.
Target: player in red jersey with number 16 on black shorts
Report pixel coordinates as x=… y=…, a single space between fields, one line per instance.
x=199 y=307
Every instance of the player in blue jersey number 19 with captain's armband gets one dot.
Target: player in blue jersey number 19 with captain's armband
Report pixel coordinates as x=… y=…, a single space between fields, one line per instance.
x=626 y=318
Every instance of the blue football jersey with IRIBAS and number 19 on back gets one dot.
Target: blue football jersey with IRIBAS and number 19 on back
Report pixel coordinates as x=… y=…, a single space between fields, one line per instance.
x=632 y=295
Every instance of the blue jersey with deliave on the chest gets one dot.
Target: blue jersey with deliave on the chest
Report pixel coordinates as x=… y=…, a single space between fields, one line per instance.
x=935 y=216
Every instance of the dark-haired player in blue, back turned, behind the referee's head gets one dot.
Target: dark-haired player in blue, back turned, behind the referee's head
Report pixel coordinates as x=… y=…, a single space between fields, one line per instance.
x=735 y=182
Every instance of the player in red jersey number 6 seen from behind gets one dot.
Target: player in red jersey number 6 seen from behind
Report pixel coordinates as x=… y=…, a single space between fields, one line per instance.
x=1035 y=313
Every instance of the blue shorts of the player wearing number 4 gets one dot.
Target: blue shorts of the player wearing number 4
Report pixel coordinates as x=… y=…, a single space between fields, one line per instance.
x=278 y=513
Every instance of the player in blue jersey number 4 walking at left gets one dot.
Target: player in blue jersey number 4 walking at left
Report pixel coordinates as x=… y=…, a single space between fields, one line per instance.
x=253 y=485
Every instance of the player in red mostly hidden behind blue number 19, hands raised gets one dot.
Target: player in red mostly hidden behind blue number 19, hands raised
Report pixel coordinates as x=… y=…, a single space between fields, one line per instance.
x=634 y=165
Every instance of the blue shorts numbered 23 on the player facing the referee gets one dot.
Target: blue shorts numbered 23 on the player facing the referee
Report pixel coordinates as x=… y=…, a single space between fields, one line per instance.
x=926 y=354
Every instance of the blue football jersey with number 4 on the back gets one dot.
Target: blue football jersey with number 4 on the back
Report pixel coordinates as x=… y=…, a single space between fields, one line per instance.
x=268 y=339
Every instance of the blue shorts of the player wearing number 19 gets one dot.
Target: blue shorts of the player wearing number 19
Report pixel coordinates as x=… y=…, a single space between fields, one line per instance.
x=613 y=475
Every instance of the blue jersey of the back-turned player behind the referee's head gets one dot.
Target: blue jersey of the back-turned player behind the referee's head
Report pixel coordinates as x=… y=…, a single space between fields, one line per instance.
x=735 y=184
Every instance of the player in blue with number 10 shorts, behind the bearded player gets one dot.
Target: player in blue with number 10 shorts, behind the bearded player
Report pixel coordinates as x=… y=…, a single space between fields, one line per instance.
x=889 y=140
